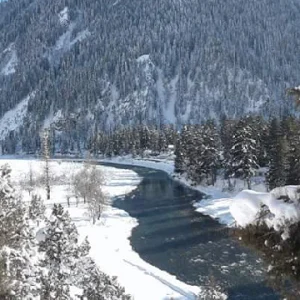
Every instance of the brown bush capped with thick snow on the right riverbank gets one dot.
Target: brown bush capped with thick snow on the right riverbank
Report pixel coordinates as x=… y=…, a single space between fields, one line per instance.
x=272 y=226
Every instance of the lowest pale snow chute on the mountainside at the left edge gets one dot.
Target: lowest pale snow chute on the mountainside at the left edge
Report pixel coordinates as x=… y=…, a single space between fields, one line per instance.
x=14 y=118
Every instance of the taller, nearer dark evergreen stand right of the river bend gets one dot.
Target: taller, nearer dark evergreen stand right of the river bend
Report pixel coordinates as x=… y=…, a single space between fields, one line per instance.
x=237 y=148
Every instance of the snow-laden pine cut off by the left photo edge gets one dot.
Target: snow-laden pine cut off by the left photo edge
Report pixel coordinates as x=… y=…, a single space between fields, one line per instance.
x=17 y=270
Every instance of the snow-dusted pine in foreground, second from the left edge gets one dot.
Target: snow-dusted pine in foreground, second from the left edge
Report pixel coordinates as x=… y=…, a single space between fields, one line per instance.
x=62 y=253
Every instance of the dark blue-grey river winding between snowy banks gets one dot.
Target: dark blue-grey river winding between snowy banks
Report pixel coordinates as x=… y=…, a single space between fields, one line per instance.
x=189 y=245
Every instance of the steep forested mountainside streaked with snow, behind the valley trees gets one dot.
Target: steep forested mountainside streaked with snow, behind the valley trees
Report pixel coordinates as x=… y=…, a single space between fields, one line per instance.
x=82 y=66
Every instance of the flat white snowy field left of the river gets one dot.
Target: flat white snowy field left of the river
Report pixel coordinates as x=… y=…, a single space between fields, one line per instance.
x=110 y=247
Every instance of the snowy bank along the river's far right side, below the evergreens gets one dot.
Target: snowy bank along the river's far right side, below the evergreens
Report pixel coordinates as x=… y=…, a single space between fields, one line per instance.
x=239 y=206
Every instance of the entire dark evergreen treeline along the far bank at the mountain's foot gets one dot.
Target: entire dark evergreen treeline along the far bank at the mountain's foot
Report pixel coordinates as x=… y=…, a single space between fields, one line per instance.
x=230 y=149
